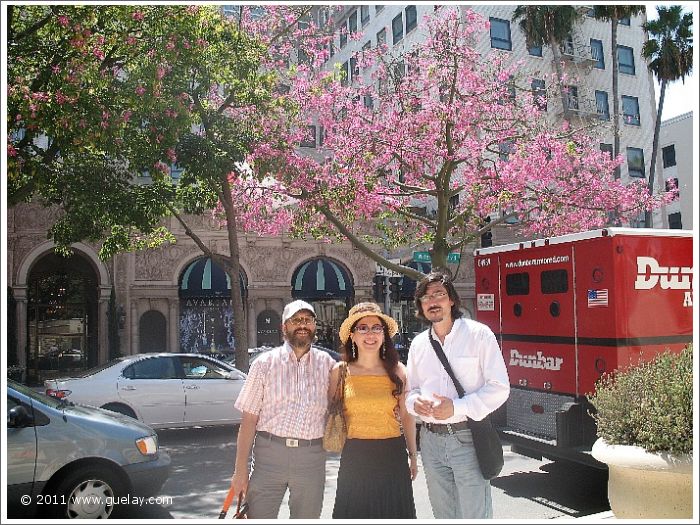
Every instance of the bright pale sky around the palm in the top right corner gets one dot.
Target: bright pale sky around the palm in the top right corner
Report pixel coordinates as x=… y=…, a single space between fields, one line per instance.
x=681 y=97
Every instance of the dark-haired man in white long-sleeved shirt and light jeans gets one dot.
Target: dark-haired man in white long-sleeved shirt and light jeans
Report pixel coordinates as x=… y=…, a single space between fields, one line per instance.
x=456 y=487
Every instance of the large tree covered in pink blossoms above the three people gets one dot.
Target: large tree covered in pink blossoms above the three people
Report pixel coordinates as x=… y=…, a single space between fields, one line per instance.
x=419 y=149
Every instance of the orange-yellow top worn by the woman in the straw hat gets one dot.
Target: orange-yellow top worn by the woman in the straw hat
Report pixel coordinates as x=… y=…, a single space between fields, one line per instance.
x=370 y=407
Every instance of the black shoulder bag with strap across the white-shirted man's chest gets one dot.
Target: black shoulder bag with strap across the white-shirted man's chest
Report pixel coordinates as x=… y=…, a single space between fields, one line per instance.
x=489 y=451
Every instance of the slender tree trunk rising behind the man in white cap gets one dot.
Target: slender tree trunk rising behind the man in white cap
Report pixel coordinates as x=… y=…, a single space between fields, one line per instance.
x=240 y=332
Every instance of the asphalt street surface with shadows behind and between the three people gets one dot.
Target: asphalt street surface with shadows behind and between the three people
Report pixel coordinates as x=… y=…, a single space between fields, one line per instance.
x=527 y=488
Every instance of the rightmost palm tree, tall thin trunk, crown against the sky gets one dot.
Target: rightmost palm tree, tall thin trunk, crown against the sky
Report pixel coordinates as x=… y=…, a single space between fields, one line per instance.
x=669 y=53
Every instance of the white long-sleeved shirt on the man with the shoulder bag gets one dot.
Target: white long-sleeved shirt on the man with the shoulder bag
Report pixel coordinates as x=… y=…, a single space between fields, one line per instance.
x=476 y=359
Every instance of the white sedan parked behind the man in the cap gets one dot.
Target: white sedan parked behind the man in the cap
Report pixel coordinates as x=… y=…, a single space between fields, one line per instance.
x=163 y=390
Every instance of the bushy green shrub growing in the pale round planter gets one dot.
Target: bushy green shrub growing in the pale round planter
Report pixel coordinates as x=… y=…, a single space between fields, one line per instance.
x=649 y=405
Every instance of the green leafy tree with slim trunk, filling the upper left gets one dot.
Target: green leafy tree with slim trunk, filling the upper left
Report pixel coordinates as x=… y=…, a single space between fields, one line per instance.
x=99 y=96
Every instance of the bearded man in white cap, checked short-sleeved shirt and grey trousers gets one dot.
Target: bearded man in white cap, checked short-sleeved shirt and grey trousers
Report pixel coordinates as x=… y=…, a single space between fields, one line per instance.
x=284 y=403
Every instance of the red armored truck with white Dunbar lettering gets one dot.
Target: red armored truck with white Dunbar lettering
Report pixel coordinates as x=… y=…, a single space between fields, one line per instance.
x=567 y=309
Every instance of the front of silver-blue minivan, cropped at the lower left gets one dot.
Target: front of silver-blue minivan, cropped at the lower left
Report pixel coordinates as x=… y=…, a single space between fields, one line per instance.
x=71 y=461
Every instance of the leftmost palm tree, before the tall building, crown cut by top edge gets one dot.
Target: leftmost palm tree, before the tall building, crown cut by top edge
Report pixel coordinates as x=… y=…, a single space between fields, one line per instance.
x=549 y=25
